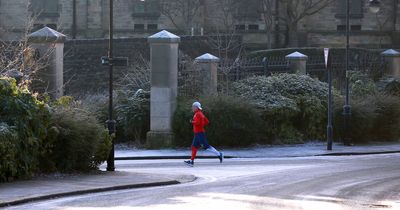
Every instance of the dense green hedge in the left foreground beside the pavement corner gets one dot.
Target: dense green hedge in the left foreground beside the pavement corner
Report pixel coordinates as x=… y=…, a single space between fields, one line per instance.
x=36 y=137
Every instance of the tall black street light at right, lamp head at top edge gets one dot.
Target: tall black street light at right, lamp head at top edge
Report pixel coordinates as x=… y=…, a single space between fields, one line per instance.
x=374 y=6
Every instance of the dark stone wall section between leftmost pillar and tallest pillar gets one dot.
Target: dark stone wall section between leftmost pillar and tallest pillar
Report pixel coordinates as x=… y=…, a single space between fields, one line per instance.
x=83 y=71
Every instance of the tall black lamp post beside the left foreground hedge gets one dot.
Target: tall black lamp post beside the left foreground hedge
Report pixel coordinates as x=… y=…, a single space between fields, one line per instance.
x=111 y=123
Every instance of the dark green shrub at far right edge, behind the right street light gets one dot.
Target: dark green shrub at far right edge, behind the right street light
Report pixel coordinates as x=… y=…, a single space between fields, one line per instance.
x=374 y=117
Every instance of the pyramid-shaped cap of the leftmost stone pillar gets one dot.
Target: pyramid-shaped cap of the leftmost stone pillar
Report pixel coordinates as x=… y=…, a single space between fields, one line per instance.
x=46 y=35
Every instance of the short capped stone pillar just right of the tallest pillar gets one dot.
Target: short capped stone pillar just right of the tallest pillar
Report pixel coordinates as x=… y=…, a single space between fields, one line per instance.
x=208 y=65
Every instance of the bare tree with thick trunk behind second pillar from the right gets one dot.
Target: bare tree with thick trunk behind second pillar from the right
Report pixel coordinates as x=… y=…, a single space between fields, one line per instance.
x=295 y=11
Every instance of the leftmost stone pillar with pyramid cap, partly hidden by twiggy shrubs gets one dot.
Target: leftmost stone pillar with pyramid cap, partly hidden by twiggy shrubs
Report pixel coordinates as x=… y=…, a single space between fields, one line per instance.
x=50 y=44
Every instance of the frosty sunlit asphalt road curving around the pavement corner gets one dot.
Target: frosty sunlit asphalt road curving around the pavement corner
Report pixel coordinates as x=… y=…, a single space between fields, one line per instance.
x=346 y=182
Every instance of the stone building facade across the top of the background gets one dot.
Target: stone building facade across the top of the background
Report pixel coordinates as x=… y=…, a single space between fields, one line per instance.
x=92 y=22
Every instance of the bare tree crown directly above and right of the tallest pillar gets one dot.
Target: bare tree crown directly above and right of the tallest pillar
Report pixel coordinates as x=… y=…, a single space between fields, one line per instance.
x=181 y=13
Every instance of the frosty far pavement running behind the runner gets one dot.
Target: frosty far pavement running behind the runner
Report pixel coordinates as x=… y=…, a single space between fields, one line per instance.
x=301 y=150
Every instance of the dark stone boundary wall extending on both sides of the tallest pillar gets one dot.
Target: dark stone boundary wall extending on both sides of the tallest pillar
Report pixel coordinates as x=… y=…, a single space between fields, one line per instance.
x=84 y=73
